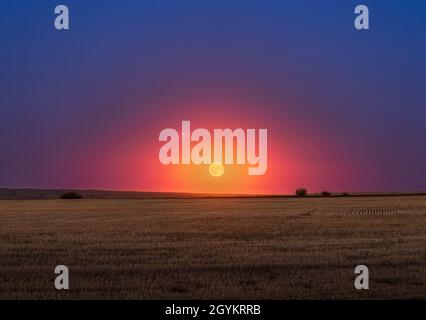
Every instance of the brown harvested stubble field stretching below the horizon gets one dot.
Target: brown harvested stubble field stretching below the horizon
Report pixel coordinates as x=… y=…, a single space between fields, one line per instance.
x=214 y=248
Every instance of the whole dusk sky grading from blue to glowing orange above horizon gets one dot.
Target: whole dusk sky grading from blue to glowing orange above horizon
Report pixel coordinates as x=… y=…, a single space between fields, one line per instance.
x=83 y=108
